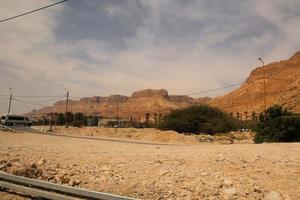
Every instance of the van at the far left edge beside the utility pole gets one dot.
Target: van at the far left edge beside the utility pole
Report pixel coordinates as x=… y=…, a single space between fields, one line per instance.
x=15 y=120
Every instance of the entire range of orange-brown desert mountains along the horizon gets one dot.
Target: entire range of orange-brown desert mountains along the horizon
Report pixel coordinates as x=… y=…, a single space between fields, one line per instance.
x=282 y=87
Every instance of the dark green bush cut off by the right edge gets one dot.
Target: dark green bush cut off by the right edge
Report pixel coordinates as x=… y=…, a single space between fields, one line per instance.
x=278 y=125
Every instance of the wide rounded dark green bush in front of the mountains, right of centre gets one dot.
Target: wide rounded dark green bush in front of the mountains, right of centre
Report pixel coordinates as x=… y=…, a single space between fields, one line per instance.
x=198 y=119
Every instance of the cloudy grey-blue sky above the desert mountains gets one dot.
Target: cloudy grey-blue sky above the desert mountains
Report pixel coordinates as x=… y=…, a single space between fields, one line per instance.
x=104 y=47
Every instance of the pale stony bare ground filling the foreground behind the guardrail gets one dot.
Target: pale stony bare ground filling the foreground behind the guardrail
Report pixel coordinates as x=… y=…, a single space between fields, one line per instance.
x=205 y=171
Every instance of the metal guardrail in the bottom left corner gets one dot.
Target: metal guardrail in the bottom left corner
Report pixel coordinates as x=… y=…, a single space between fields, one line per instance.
x=50 y=190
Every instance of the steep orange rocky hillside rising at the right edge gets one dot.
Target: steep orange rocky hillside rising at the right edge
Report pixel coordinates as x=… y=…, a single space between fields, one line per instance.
x=282 y=87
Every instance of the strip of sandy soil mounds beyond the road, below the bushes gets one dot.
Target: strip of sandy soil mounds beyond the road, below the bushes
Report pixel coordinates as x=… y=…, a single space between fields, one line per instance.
x=154 y=135
